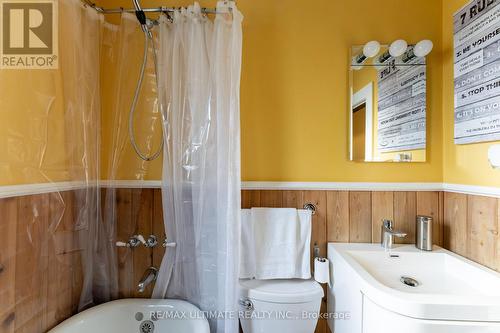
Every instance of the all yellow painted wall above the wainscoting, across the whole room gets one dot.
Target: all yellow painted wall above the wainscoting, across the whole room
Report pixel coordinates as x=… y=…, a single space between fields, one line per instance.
x=294 y=98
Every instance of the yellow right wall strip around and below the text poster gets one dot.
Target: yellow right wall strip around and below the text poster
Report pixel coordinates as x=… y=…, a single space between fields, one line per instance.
x=463 y=164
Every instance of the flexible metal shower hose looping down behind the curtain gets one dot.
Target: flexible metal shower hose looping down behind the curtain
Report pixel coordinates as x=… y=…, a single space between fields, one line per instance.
x=147 y=37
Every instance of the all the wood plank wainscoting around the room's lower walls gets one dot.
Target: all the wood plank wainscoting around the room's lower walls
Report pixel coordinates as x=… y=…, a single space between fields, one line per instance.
x=40 y=265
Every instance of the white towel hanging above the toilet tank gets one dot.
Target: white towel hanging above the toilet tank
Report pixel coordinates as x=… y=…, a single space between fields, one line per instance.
x=275 y=243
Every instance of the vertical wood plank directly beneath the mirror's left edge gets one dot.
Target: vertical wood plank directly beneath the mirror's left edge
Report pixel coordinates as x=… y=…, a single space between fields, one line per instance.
x=360 y=217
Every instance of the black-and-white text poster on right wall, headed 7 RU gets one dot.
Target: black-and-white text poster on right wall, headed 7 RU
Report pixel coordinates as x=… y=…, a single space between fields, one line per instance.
x=477 y=72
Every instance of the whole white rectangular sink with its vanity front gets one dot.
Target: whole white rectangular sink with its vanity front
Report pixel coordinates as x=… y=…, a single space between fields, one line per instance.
x=449 y=287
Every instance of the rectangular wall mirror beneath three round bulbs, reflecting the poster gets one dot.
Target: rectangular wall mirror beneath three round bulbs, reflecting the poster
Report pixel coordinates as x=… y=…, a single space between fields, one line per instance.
x=388 y=107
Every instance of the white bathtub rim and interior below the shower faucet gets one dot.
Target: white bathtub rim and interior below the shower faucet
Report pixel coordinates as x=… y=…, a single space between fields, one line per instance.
x=137 y=315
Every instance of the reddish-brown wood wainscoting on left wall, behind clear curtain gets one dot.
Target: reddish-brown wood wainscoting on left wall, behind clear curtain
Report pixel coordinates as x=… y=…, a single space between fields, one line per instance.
x=40 y=262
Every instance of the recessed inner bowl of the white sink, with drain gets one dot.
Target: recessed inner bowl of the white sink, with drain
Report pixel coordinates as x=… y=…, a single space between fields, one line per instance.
x=437 y=272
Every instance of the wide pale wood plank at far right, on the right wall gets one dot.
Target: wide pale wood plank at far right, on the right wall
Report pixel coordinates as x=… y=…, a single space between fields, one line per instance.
x=482 y=226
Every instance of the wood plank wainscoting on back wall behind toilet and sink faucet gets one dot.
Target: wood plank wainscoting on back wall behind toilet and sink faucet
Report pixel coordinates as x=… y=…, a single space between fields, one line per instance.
x=354 y=216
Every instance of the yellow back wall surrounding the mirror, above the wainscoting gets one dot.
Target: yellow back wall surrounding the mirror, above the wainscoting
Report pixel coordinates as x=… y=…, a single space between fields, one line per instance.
x=294 y=95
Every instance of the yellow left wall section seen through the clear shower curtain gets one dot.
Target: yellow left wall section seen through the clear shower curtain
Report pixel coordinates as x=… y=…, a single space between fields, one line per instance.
x=35 y=146
